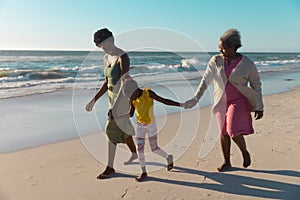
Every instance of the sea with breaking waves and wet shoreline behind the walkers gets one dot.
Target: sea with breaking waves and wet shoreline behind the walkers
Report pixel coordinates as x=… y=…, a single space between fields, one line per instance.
x=43 y=93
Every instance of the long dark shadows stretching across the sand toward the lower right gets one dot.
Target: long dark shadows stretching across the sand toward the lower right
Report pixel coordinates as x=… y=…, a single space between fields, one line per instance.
x=241 y=185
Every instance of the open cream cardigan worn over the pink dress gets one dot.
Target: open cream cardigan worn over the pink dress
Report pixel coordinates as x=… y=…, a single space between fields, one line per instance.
x=244 y=73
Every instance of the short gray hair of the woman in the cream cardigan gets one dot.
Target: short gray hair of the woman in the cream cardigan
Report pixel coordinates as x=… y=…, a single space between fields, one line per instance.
x=232 y=38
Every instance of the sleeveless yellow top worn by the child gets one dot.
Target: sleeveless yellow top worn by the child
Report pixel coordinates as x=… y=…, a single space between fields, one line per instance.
x=144 y=108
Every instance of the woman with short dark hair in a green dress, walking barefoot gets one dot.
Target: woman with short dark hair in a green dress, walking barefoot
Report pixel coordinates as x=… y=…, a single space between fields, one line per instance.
x=116 y=63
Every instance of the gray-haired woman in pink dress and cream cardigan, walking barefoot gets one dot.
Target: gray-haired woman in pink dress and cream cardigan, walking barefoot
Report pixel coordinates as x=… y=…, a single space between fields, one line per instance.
x=233 y=99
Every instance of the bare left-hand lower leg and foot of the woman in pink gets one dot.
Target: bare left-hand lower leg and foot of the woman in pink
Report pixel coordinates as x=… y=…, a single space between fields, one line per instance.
x=225 y=145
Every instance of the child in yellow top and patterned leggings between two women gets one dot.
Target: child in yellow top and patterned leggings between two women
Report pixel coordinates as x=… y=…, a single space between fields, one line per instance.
x=142 y=103
